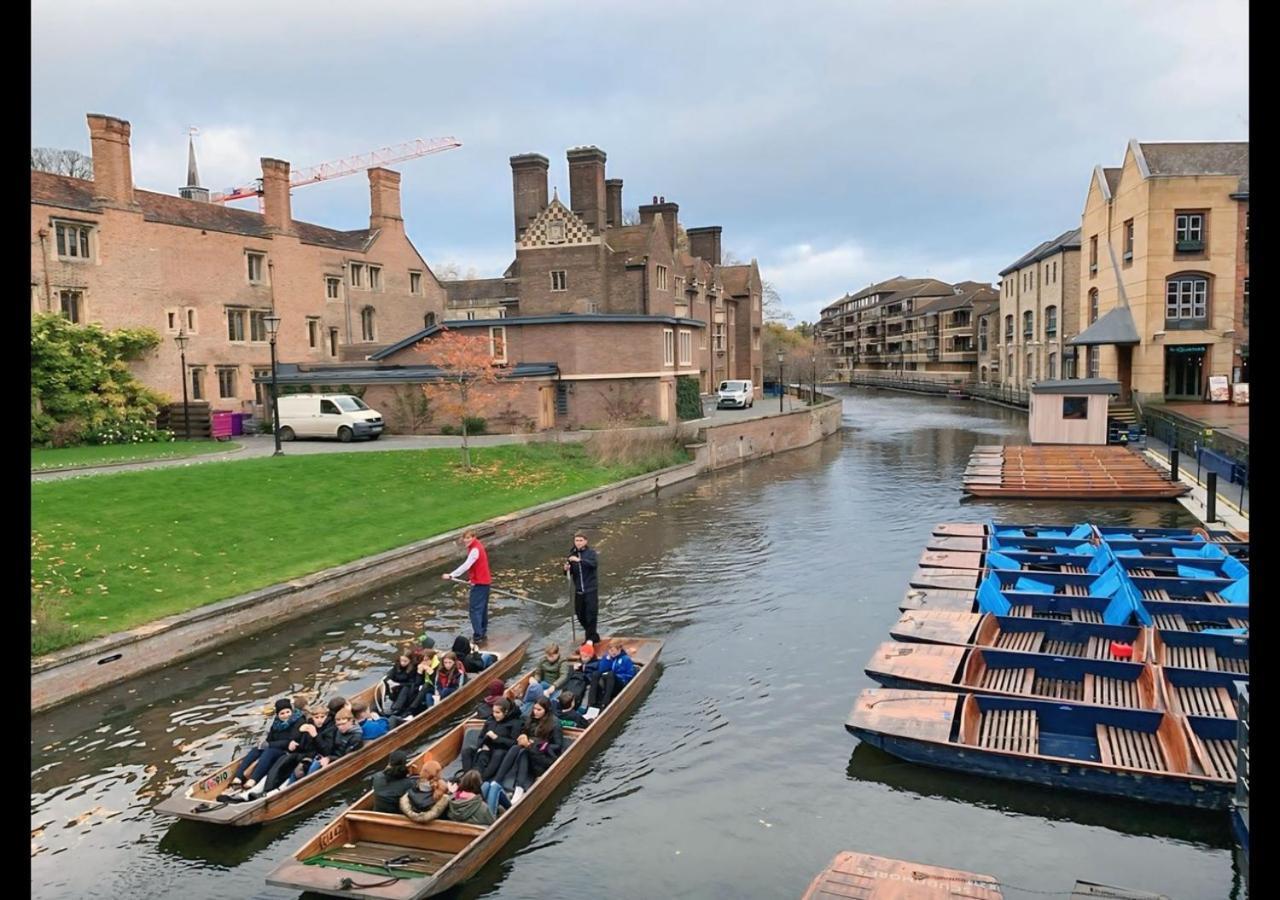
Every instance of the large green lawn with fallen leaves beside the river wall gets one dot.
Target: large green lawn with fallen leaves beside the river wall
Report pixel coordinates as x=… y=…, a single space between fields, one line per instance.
x=116 y=551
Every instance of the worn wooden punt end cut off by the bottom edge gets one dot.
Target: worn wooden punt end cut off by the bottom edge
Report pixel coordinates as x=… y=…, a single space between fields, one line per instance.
x=860 y=876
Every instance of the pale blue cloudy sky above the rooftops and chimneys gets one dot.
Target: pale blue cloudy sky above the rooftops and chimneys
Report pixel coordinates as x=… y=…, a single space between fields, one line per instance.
x=839 y=144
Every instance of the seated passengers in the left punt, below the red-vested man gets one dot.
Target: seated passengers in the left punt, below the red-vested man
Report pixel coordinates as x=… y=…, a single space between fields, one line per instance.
x=300 y=742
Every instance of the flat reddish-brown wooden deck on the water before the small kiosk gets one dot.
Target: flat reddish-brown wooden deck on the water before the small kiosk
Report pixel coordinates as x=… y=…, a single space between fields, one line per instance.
x=1064 y=472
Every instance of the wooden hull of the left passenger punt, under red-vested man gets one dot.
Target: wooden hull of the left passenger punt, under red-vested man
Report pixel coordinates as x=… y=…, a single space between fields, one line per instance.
x=199 y=801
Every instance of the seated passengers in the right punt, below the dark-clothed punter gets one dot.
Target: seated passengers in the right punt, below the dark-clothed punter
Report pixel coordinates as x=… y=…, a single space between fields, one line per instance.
x=516 y=742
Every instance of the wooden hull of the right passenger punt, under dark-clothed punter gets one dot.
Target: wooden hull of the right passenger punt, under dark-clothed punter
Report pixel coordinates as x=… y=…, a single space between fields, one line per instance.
x=428 y=860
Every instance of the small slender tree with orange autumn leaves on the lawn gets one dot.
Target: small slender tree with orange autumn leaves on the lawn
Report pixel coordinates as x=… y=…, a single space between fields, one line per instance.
x=472 y=383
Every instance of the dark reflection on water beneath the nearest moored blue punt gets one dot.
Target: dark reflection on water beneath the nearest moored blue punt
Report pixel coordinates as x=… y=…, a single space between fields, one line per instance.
x=1195 y=826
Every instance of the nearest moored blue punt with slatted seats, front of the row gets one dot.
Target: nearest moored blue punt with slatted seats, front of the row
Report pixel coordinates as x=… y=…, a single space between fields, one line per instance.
x=1158 y=757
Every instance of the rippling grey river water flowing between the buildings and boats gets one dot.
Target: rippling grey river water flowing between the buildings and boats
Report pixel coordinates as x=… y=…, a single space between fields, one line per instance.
x=735 y=778
